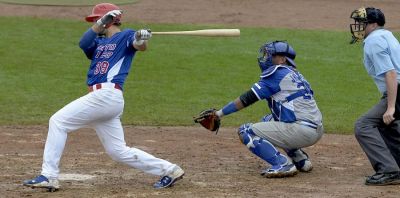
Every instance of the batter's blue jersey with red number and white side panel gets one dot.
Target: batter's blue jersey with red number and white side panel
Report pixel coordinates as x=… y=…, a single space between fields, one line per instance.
x=111 y=57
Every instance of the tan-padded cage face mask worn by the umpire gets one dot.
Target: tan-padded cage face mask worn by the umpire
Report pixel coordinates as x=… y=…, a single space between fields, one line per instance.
x=357 y=29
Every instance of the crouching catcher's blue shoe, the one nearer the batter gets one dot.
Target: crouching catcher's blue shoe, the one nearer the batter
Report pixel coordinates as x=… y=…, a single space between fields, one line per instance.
x=278 y=171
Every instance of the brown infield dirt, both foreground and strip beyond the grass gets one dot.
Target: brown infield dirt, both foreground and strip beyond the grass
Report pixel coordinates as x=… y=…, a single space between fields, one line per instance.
x=216 y=166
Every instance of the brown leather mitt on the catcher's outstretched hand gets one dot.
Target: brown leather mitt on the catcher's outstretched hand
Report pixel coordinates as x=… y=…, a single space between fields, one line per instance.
x=208 y=119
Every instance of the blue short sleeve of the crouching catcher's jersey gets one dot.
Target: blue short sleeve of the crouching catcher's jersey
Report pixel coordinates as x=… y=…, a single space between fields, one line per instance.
x=267 y=87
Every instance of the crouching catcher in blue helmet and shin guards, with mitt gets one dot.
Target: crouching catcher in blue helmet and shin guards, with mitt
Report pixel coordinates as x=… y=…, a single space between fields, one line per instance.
x=295 y=122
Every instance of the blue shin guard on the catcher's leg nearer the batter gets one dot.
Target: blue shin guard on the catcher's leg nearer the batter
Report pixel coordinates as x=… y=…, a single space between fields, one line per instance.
x=259 y=146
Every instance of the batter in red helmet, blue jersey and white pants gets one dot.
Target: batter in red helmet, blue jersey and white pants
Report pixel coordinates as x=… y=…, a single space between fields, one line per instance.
x=111 y=52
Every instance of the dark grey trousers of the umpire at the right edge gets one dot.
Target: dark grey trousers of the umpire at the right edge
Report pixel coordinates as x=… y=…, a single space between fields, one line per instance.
x=380 y=142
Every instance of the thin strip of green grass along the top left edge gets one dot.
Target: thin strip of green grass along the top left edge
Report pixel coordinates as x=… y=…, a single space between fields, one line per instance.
x=65 y=2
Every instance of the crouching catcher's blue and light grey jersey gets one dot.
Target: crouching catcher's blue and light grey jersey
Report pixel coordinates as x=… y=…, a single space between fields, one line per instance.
x=289 y=95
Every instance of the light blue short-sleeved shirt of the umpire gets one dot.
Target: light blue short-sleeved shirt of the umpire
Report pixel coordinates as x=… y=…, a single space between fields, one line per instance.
x=381 y=54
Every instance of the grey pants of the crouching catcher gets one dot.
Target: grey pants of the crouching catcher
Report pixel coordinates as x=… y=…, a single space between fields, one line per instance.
x=288 y=135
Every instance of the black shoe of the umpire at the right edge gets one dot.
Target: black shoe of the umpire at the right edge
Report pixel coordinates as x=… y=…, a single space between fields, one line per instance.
x=382 y=179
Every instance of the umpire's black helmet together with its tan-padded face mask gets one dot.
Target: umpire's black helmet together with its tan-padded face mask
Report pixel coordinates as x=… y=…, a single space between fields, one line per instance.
x=362 y=16
